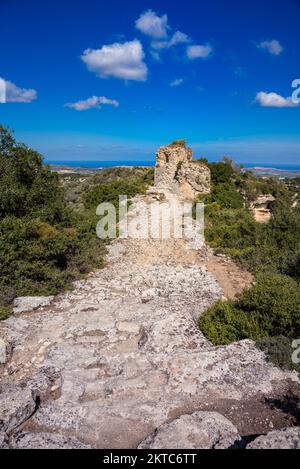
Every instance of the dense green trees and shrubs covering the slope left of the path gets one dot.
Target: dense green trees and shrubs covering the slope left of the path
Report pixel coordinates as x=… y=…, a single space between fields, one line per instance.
x=47 y=236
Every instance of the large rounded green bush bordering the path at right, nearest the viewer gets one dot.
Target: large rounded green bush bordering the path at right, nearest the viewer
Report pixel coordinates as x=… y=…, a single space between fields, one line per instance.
x=269 y=308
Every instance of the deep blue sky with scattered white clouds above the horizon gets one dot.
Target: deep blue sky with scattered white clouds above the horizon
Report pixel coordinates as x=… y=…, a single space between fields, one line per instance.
x=98 y=80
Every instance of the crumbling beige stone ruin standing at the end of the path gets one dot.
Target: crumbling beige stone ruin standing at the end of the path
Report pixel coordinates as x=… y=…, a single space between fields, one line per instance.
x=177 y=173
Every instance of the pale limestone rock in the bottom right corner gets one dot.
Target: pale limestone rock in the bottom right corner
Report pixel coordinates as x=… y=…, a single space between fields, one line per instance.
x=282 y=439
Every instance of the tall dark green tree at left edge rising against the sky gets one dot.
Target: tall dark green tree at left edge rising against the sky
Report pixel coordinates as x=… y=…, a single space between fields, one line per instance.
x=27 y=187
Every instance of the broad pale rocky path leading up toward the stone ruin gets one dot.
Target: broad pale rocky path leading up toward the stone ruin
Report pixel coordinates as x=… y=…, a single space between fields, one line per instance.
x=120 y=356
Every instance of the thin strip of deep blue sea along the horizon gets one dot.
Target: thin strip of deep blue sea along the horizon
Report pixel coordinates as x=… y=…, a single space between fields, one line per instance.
x=111 y=164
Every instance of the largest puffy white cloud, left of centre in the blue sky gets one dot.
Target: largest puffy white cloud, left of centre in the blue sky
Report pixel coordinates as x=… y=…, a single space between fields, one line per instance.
x=124 y=61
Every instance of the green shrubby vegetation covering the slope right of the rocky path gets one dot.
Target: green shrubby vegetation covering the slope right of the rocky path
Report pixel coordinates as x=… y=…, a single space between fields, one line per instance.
x=269 y=311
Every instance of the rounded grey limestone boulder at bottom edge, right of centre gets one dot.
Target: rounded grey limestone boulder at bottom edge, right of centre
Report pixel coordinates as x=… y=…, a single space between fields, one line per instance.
x=201 y=430
